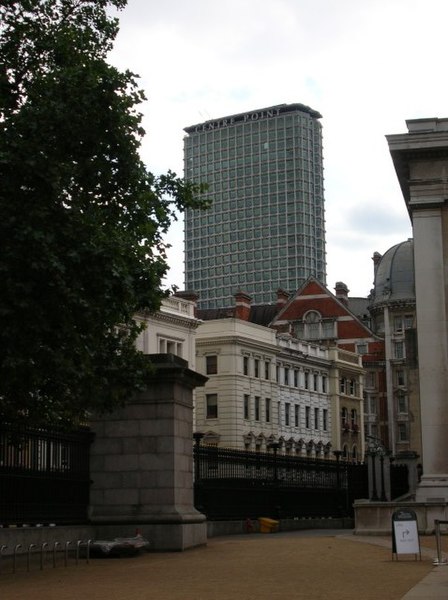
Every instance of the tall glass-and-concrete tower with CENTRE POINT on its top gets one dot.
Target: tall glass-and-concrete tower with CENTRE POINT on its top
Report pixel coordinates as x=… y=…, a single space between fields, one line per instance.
x=266 y=226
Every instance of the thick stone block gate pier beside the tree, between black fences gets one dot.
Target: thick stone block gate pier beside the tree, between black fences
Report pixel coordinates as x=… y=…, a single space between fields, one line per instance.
x=142 y=463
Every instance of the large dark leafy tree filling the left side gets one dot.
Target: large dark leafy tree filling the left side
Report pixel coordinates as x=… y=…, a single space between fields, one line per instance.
x=81 y=218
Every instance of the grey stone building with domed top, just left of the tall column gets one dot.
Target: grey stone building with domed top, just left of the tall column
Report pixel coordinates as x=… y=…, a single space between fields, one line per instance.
x=392 y=383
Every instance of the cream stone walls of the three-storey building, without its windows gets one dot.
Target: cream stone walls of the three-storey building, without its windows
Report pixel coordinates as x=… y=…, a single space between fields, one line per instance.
x=233 y=341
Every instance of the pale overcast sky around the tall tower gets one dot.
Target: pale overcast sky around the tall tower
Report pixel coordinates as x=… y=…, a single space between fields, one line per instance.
x=366 y=65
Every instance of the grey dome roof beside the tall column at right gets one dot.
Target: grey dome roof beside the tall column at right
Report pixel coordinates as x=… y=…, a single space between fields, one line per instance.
x=394 y=275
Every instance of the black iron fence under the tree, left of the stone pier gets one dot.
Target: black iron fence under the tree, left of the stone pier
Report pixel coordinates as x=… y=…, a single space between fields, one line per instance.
x=44 y=475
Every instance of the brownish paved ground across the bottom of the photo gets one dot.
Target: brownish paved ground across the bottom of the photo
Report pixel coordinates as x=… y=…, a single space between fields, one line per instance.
x=300 y=565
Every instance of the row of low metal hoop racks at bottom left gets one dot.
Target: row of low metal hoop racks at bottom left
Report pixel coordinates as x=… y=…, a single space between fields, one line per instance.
x=33 y=549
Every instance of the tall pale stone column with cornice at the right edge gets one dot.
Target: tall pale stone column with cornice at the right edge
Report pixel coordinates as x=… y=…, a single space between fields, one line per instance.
x=421 y=161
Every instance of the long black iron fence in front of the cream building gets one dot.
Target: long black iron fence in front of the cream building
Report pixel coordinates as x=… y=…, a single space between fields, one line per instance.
x=238 y=484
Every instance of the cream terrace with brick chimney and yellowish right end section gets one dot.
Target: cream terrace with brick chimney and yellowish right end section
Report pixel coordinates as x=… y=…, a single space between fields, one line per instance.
x=268 y=386
